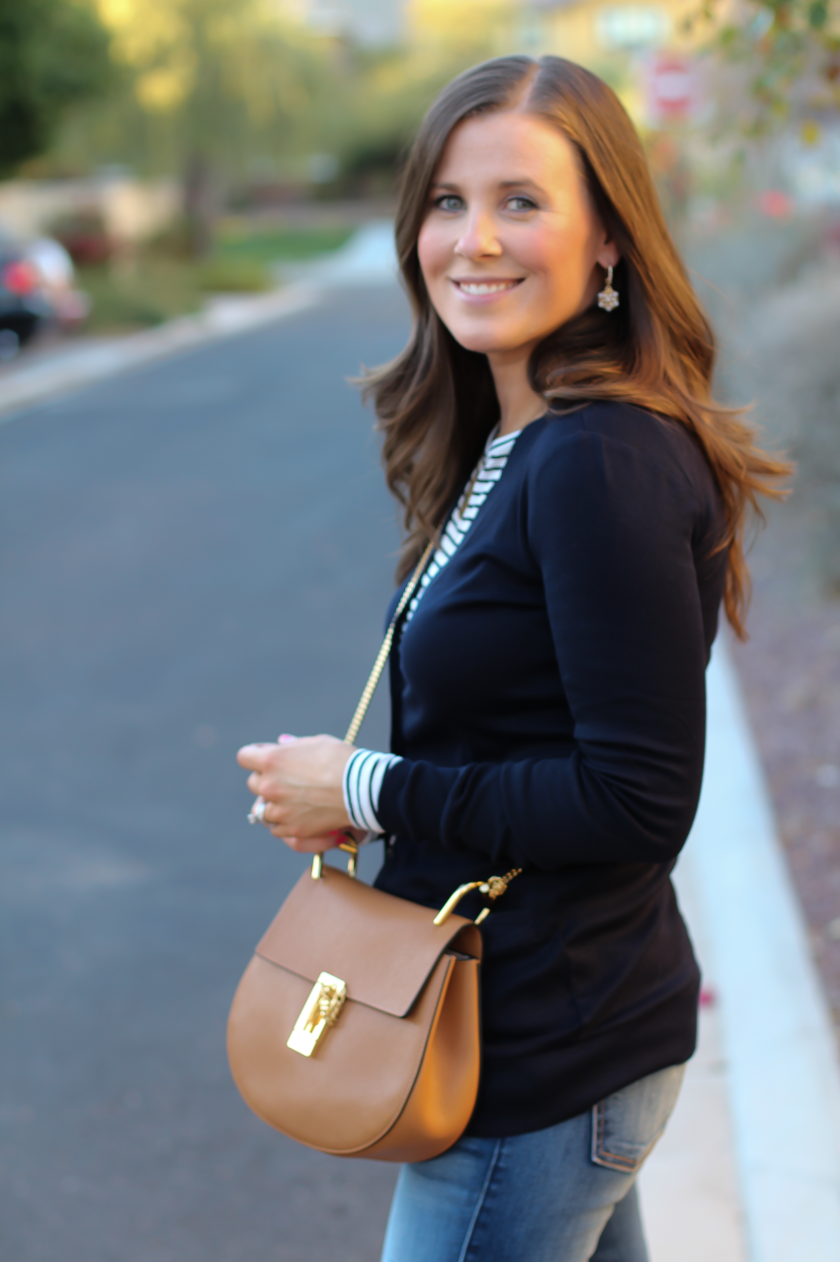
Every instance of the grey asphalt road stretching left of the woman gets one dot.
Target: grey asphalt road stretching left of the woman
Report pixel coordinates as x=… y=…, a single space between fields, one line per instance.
x=194 y=556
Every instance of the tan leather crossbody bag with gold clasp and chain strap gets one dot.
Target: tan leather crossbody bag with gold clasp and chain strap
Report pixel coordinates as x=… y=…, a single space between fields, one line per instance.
x=356 y=1025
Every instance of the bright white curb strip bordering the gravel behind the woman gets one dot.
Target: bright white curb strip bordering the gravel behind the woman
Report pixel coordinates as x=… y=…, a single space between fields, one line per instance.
x=783 y=1062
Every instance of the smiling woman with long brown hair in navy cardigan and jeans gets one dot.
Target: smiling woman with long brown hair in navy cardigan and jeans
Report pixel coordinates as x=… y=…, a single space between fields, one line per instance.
x=548 y=688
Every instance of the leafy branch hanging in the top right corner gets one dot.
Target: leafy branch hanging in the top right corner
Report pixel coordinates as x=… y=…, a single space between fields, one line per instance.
x=790 y=51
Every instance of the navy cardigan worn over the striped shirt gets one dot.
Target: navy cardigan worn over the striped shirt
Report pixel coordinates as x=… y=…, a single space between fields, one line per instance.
x=549 y=705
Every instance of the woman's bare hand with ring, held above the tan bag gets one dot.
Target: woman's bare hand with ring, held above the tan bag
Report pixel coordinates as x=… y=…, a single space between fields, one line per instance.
x=301 y=782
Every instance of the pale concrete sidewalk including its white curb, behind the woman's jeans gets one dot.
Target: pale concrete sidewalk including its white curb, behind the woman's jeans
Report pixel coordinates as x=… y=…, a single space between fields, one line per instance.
x=750 y=1167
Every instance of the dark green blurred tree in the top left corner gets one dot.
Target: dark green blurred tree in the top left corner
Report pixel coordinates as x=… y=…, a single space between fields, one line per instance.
x=54 y=55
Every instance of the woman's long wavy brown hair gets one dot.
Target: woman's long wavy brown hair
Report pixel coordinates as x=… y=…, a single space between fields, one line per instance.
x=437 y=403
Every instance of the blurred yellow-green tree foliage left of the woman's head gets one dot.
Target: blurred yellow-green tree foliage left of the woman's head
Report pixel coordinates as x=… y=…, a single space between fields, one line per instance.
x=254 y=98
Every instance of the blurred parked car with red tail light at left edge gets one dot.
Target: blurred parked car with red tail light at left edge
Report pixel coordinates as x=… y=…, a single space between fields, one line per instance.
x=37 y=290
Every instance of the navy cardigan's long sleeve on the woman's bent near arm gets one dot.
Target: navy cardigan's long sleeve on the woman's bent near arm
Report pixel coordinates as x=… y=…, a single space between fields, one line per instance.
x=612 y=532
